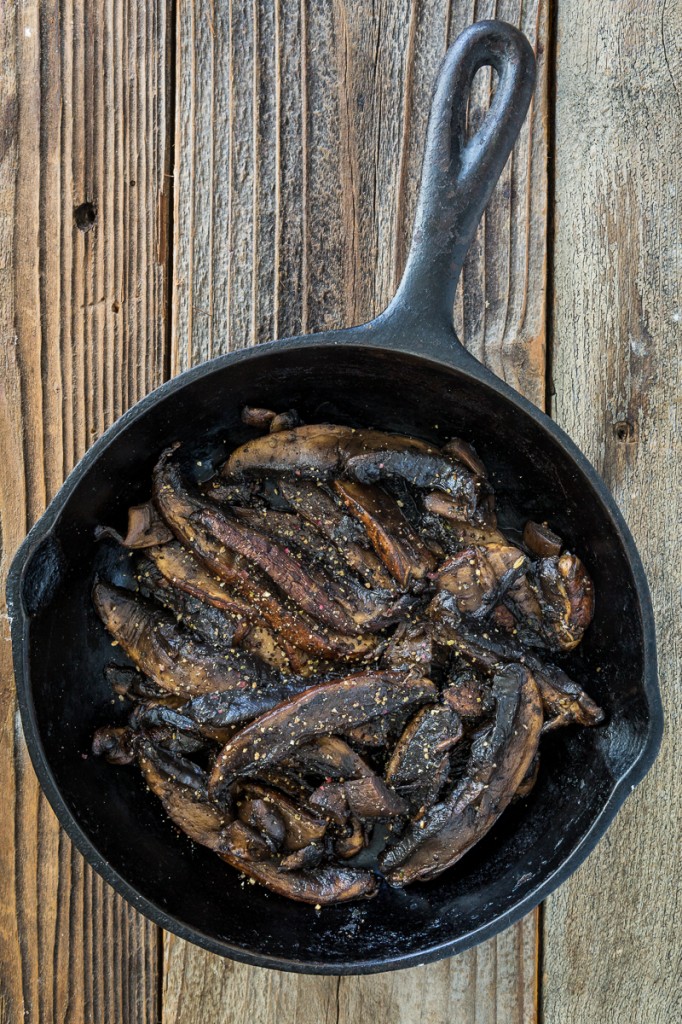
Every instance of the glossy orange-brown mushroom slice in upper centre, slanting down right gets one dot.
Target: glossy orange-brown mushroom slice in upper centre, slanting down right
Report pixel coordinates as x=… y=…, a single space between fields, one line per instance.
x=400 y=547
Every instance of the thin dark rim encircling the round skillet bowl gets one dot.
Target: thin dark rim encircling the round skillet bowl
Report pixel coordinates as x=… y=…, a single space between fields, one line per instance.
x=441 y=354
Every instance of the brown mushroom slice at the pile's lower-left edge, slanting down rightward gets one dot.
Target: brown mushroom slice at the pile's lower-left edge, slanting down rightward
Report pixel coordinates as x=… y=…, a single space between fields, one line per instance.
x=186 y=805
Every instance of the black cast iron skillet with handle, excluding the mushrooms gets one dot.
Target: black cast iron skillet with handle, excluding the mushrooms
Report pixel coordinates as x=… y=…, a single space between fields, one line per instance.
x=406 y=372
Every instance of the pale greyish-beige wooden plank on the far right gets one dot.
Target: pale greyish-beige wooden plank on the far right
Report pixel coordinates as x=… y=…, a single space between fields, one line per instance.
x=612 y=934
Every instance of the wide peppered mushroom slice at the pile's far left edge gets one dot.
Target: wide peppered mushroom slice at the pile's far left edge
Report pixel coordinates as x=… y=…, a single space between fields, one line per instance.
x=174 y=659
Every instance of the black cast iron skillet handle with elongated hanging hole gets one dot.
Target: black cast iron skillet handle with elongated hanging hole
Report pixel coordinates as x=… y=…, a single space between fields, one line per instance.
x=459 y=174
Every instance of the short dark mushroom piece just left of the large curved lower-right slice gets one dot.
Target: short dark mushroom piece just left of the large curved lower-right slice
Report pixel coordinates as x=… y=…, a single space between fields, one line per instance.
x=419 y=751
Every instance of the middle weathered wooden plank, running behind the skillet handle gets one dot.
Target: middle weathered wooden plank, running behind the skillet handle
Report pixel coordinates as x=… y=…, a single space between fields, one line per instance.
x=315 y=115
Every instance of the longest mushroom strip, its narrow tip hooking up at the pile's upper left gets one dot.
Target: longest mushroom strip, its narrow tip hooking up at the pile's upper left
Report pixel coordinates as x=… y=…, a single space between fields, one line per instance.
x=178 y=507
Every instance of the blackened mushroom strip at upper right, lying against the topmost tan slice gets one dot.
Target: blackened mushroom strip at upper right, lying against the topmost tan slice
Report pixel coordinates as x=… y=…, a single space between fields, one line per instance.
x=424 y=471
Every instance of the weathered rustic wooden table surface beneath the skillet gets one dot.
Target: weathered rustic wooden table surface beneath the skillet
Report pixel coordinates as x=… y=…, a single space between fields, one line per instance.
x=180 y=180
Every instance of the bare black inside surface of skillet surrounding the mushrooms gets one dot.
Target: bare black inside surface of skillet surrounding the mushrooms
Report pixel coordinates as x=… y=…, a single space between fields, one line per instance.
x=533 y=477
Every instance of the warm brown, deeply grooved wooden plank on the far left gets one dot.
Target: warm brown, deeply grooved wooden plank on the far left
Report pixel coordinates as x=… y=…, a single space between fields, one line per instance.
x=81 y=338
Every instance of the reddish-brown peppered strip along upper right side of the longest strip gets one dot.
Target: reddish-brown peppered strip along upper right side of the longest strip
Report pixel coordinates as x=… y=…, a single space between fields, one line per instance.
x=283 y=569
